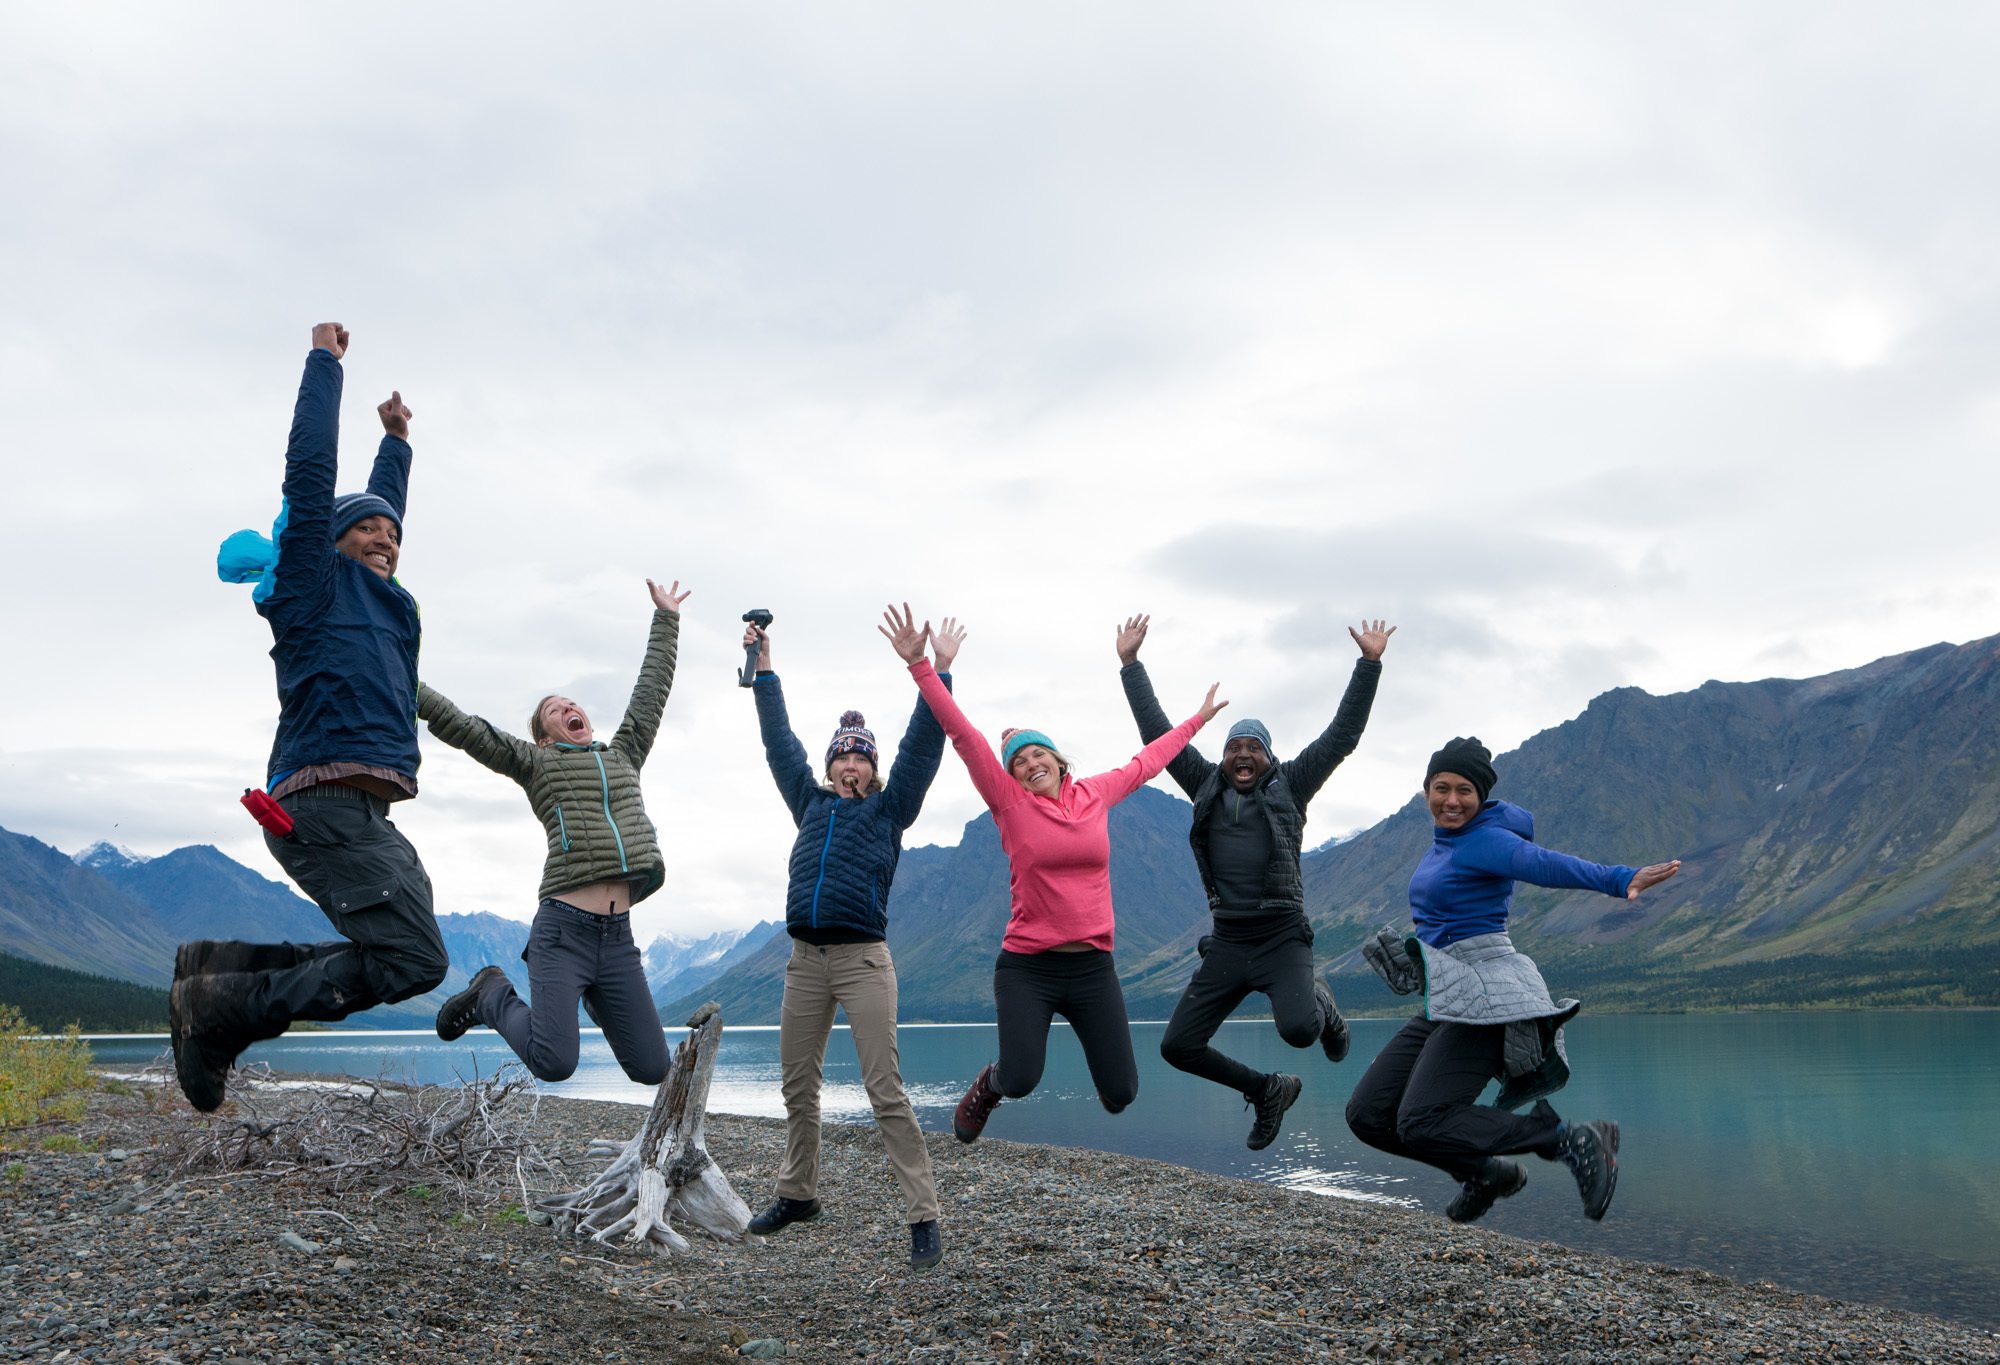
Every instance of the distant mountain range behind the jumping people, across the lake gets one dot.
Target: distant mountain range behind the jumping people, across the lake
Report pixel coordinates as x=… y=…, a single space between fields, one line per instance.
x=1841 y=840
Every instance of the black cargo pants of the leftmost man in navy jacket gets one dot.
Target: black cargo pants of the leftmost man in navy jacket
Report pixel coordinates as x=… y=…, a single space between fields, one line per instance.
x=369 y=882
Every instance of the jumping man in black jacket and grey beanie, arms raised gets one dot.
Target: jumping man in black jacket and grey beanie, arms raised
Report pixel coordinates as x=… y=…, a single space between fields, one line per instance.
x=1247 y=836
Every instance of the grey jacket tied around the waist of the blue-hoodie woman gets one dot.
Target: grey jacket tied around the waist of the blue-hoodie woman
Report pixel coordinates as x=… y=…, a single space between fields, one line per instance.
x=1485 y=982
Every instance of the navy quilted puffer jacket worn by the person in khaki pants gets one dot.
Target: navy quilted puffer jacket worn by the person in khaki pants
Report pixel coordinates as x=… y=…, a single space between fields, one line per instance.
x=847 y=850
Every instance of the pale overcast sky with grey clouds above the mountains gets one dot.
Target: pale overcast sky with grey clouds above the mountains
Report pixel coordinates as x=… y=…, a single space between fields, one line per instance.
x=1593 y=345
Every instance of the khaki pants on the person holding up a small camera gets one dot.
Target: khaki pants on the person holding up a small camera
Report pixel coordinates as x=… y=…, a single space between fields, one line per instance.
x=861 y=980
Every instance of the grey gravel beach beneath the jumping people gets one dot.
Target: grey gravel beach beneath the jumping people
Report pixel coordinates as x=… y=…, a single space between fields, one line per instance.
x=1051 y=1254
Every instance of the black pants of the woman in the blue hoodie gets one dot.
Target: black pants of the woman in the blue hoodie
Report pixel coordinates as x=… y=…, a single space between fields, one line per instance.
x=1419 y=1100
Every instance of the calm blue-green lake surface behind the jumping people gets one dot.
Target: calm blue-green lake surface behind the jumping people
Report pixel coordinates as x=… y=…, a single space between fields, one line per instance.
x=1845 y=1154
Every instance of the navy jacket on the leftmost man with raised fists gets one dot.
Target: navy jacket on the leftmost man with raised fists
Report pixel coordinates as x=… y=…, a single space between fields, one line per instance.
x=345 y=641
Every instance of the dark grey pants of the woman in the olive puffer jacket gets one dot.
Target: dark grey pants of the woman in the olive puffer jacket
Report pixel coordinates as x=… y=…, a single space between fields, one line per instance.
x=575 y=956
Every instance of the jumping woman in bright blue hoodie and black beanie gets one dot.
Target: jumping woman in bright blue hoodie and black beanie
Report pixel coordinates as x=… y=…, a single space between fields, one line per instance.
x=1487 y=1012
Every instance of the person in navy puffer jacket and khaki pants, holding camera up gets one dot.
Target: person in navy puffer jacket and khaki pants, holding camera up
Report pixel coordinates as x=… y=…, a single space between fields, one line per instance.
x=851 y=826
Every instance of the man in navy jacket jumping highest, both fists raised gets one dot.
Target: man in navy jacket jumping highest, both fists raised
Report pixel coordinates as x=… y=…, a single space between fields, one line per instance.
x=345 y=639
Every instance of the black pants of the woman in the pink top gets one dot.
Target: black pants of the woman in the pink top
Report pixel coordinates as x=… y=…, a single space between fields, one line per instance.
x=1083 y=988
